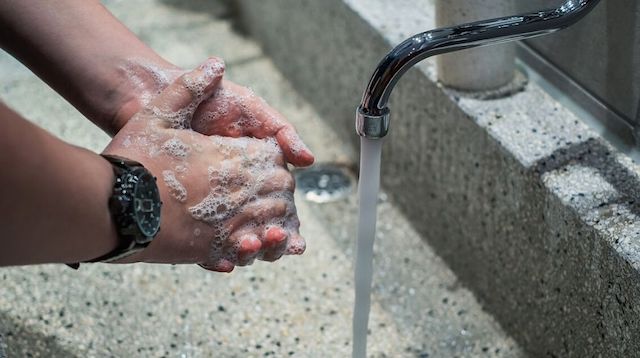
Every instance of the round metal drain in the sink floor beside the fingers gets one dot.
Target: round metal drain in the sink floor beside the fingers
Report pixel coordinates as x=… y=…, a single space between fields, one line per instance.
x=324 y=183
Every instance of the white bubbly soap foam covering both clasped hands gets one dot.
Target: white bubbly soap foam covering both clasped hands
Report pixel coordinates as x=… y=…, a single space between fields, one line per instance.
x=250 y=160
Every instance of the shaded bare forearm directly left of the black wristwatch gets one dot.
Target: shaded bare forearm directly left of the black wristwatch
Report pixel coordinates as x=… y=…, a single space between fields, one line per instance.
x=53 y=197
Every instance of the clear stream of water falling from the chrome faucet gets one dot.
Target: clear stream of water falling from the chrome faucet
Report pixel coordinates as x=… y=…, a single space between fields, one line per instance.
x=368 y=186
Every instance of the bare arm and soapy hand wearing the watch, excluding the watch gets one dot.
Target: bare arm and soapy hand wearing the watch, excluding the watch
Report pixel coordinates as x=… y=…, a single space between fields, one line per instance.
x=230 y=203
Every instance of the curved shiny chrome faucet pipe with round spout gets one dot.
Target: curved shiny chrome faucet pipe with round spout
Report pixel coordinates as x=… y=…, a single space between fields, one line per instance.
x=372 y=117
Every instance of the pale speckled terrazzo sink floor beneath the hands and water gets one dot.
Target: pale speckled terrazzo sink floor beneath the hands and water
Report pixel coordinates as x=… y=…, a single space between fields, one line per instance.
x=299 y=306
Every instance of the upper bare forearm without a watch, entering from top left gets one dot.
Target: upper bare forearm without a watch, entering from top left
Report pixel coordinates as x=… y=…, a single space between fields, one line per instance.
x=80 y=50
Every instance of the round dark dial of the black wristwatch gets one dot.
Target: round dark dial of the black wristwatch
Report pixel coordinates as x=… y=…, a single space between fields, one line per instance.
x=146 y=205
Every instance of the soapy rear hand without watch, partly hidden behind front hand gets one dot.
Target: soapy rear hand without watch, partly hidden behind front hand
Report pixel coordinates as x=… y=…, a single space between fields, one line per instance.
x=232 y=110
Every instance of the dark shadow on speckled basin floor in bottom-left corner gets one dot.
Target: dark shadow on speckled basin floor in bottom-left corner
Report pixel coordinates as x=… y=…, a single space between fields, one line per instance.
x=21 y=341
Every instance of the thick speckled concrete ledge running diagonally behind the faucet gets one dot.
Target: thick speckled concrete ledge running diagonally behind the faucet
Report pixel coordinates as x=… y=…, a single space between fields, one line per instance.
x=532 y=210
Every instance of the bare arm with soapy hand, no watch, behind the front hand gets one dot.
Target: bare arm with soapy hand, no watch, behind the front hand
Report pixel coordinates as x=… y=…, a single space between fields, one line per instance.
x=101 y=68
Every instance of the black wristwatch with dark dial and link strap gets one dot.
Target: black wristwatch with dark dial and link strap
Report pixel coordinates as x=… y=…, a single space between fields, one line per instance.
x=135 y=208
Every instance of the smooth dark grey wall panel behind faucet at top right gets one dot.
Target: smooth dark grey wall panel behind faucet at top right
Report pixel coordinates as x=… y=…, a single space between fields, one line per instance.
x=602 y=53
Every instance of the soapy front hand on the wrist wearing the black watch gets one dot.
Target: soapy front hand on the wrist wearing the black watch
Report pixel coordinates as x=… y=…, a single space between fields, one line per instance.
x=227 y=201
